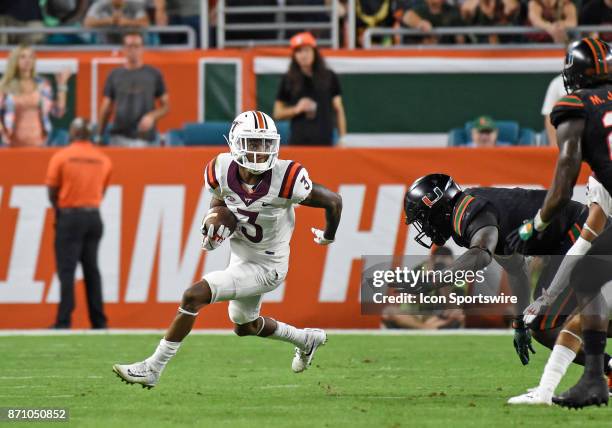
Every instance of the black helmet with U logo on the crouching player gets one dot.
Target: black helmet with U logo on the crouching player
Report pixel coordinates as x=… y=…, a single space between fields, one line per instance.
x=428 y=205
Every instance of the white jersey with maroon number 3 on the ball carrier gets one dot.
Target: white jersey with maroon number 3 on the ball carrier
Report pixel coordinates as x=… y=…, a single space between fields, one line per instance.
x=265 y=214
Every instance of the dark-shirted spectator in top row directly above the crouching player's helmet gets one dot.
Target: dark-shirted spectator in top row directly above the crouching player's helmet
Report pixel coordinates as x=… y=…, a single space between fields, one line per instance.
x=431 y=14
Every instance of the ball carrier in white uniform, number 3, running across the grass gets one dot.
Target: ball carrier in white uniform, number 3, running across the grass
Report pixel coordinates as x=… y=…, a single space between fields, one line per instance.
x=261 y=191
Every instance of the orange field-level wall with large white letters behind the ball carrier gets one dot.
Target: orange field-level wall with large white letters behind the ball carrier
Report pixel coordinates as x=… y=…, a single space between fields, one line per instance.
x=151 y=248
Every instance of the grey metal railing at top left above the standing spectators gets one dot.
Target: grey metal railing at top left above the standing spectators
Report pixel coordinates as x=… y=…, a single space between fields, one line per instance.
x=89 y=32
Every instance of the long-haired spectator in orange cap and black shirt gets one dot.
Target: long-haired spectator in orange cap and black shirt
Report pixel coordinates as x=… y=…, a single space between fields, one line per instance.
x=310 y=96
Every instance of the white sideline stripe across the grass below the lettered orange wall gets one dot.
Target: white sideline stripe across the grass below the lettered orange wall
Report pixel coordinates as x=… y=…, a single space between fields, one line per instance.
x=228 y=332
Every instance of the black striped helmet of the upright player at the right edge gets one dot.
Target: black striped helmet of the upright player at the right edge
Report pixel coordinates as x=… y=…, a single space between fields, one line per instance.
x=588 y=62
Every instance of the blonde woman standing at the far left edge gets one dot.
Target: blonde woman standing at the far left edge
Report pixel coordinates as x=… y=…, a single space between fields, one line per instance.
x=27 y=100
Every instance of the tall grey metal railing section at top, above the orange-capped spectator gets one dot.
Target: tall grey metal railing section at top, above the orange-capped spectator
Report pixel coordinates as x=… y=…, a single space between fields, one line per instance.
x=280 y=25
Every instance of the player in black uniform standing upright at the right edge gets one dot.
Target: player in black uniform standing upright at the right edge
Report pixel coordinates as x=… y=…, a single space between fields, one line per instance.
x=584 y=133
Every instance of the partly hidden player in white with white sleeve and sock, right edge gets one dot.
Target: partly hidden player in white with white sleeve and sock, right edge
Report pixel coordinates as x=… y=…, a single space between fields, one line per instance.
x=568 y=344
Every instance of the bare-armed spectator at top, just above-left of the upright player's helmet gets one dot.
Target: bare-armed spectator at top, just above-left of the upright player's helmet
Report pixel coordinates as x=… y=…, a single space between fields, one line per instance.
x=554 y=17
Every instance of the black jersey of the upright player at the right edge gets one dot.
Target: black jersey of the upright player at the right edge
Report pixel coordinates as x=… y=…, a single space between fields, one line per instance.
x=594 y=105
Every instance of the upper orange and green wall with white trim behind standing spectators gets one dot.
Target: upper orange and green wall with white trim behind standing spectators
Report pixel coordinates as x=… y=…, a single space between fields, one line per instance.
x=258 y=69
